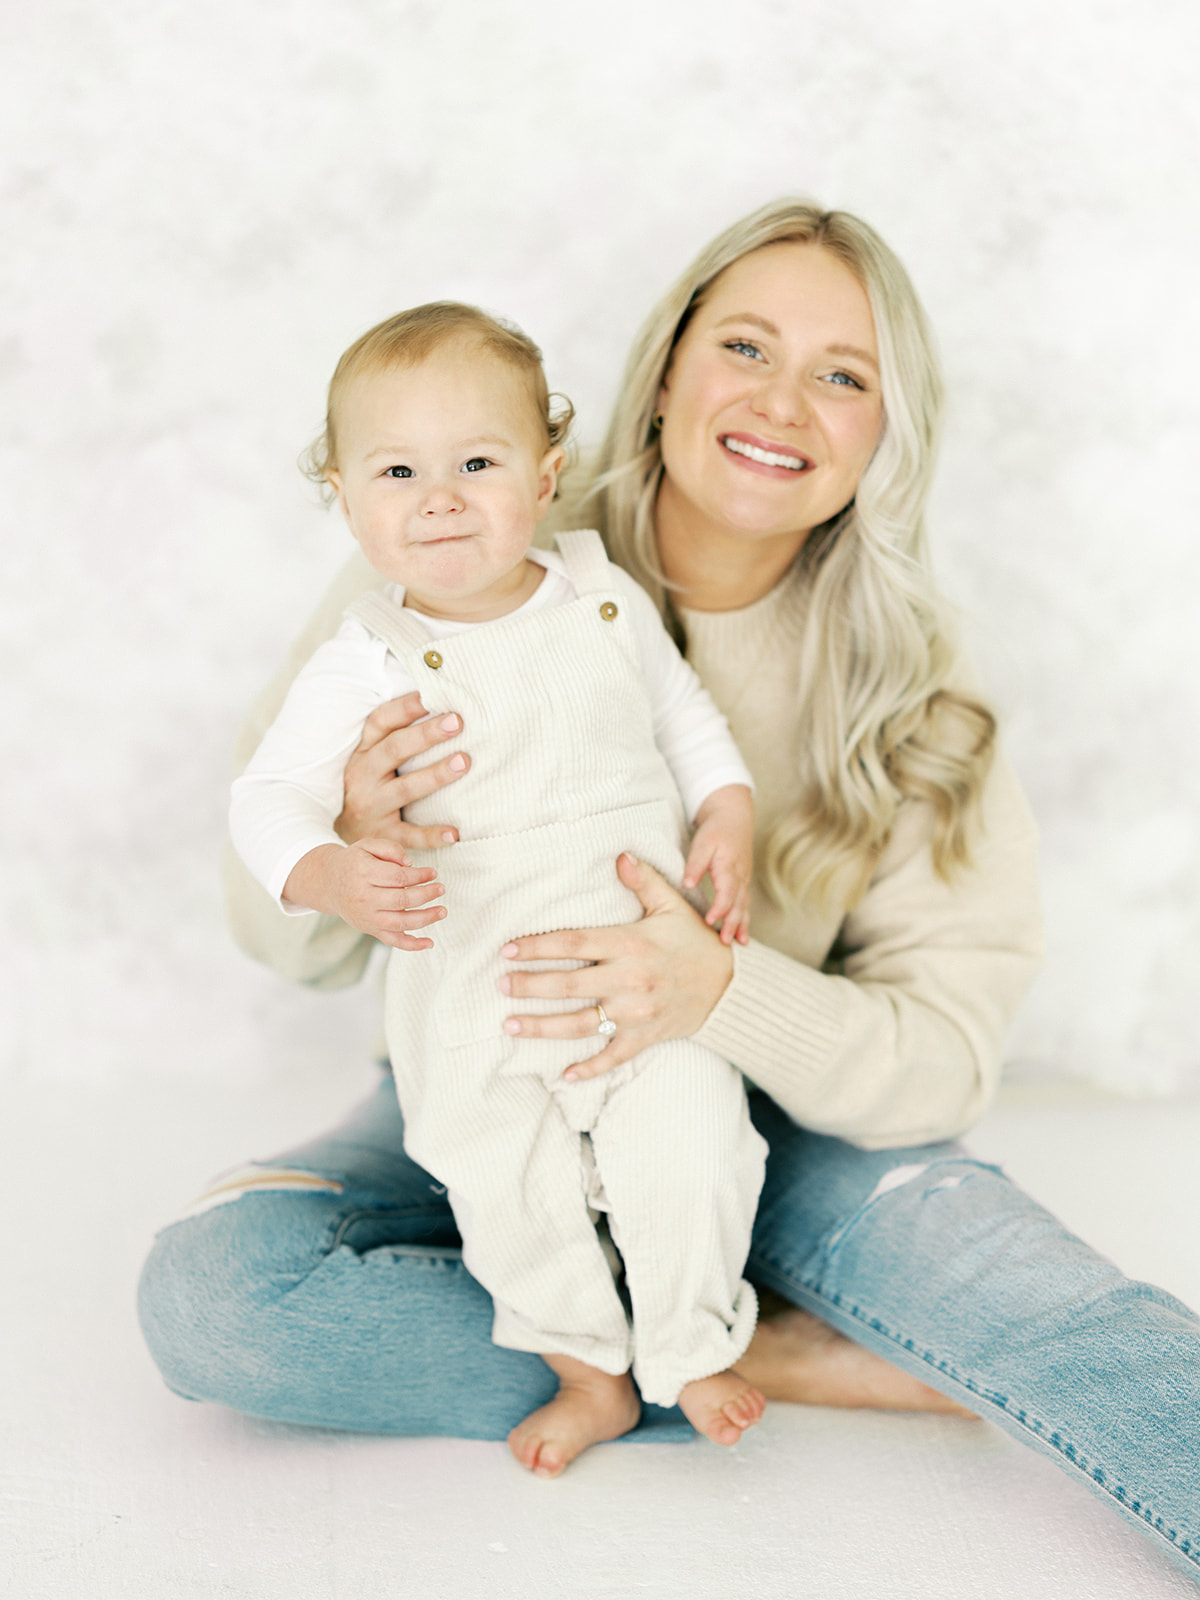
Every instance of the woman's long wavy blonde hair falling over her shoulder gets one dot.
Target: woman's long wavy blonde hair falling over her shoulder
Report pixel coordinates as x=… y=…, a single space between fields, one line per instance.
x=881 y=721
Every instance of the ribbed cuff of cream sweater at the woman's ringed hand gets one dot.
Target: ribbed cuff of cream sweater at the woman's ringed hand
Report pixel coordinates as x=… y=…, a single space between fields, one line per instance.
x=780 y=1023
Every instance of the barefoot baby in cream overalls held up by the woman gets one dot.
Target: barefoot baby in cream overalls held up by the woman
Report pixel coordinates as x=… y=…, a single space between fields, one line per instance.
x=590 y=737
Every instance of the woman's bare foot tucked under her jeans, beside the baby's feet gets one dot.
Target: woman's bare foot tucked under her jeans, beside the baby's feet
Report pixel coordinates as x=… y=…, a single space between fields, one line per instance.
x=798 y=1358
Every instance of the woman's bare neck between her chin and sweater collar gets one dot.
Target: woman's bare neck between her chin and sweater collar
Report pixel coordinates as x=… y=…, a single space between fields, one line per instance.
x=711 y=569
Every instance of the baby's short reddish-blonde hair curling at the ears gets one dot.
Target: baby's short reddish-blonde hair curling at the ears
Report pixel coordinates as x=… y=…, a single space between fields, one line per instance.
x=409 y=340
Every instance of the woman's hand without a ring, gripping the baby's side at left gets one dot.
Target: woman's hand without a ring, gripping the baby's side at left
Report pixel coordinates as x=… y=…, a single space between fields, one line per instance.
x=374 y=794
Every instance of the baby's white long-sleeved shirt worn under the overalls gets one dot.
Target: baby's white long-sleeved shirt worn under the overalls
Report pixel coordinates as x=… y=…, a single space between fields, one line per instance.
x=290 y=794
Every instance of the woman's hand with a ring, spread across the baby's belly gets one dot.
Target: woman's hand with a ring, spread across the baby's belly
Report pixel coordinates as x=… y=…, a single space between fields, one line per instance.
x=657 y=978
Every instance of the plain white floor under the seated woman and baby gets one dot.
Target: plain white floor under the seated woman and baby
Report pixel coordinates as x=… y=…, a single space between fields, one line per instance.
x=111 y=1487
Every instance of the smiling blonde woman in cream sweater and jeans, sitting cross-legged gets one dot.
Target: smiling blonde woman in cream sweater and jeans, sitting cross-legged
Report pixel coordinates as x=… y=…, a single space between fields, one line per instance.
x=764 y=478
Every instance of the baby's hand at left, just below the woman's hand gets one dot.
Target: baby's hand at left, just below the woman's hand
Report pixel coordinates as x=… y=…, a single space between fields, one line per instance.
x=374 y=886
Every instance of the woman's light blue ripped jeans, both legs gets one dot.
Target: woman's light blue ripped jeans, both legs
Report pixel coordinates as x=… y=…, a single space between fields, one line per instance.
x=340 y=1300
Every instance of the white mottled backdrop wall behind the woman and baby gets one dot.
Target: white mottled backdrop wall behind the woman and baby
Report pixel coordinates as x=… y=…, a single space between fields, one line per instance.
x=204 y=204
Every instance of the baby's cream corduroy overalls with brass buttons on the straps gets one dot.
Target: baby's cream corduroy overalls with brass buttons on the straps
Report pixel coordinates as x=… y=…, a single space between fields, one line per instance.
x=566 y=775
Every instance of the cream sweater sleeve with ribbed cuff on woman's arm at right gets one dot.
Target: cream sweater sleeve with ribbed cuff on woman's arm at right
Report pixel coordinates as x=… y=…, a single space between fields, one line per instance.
x=903 y=1044
